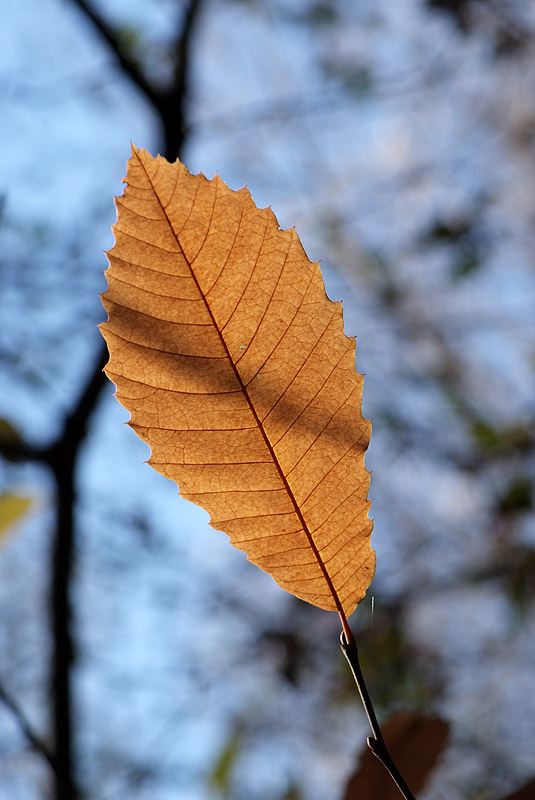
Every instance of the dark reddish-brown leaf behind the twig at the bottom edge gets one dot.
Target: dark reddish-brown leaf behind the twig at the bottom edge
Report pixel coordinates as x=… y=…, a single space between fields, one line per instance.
x=415 y=743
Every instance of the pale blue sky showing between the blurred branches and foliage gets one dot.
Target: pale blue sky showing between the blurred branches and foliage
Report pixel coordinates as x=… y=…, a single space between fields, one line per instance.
x=362 y=177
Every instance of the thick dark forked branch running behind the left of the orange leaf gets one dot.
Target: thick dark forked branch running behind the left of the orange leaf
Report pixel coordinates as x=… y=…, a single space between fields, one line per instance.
x=61 y=456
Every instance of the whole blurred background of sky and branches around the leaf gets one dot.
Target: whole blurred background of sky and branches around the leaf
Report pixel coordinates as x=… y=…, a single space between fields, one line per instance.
x=141 y=656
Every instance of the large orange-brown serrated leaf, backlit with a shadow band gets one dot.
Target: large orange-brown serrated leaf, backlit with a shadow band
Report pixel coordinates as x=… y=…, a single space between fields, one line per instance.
x=236 y=370
